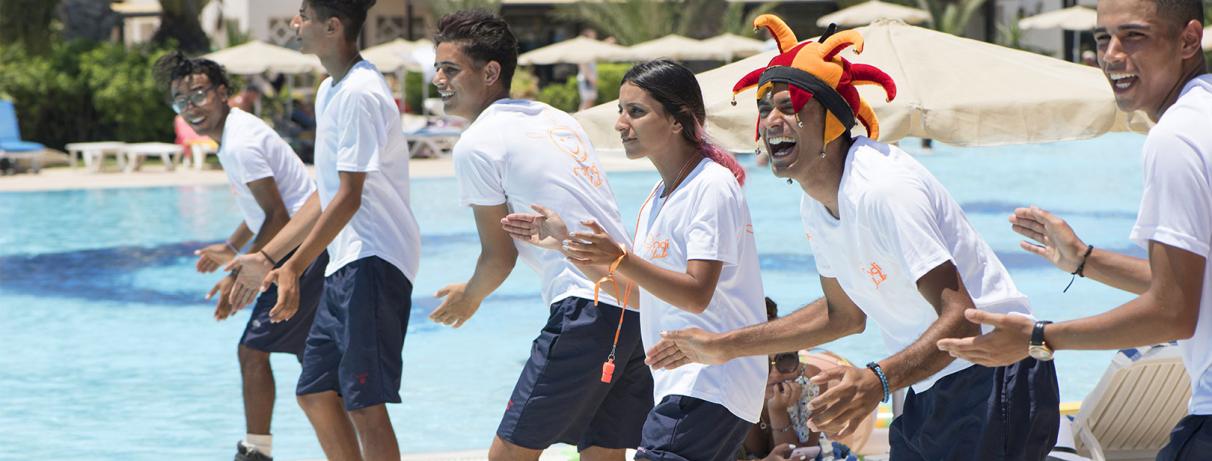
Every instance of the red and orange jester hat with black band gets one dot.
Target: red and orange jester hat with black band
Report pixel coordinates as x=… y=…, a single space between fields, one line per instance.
x=814 y=70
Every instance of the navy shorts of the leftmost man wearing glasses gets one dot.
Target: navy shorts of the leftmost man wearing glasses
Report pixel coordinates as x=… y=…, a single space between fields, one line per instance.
x=288 y=337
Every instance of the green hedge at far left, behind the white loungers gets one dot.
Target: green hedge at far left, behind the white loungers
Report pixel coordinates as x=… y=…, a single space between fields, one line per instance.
x=84 y=92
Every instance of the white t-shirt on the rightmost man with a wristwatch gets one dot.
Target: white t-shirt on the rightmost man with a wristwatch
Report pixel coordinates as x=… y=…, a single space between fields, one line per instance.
x=1176 y=210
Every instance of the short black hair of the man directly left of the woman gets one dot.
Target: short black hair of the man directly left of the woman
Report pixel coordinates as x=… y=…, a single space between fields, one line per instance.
x=484 y=37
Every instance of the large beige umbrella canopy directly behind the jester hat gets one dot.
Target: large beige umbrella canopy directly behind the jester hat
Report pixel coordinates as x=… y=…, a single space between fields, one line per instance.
x=951 y=89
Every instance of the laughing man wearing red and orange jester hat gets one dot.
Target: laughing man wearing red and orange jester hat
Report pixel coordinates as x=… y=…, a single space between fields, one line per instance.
x=894 y=247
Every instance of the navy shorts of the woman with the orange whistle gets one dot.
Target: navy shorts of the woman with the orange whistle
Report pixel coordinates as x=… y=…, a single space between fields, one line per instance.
x=687 y=429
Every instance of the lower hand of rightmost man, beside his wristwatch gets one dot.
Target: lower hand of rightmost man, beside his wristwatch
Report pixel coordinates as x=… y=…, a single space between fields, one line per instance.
x=1003 y=346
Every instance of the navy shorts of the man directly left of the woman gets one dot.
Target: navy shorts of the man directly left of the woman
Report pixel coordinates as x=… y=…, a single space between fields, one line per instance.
x=561 y=399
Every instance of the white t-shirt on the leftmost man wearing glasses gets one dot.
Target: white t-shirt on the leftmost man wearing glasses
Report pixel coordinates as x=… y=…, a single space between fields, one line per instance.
x=251 y=151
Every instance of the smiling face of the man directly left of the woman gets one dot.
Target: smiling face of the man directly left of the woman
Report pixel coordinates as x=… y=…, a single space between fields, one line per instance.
x=464 y=86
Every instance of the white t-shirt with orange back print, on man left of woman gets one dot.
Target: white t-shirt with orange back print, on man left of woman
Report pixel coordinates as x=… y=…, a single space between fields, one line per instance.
x=525 y=153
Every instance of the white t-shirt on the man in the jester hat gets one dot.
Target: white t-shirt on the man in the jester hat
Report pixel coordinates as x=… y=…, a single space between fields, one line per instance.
x=897 y=223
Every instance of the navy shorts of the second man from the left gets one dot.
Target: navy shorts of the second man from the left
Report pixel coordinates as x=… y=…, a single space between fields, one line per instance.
x=358 y=337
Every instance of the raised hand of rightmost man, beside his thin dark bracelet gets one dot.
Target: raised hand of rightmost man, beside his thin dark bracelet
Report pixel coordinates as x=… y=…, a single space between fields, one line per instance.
x=1051 y=237
